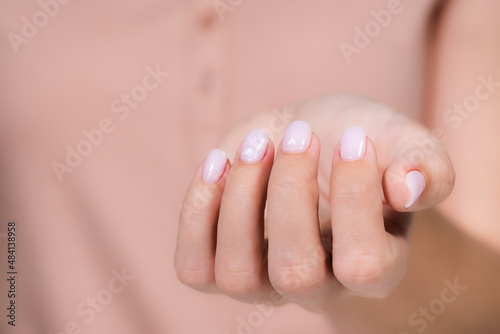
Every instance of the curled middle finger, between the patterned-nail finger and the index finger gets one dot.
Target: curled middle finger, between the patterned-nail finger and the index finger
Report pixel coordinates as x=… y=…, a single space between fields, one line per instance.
x=298 y=266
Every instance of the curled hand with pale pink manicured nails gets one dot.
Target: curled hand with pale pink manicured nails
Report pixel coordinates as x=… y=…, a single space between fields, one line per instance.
x=312 y=225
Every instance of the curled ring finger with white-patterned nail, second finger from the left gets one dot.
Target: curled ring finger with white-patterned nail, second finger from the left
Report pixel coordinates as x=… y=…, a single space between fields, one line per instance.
x=241 y=264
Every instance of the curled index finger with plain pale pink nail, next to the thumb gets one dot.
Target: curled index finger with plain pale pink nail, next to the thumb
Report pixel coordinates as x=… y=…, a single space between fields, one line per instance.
x=366 y=259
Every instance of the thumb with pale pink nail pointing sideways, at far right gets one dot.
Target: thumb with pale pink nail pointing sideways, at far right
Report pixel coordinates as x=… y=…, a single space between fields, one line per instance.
x=420 y=175
